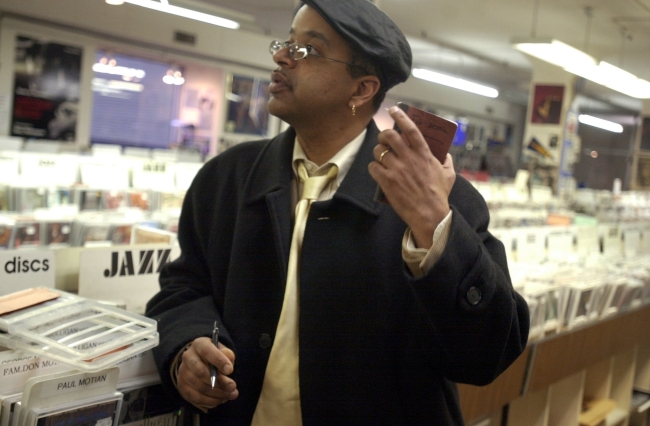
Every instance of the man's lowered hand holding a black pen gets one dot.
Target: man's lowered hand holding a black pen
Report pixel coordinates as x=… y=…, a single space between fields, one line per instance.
x=193 y=381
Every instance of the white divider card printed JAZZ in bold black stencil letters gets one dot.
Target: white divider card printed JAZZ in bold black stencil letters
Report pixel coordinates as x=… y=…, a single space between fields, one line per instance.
x=124 y=274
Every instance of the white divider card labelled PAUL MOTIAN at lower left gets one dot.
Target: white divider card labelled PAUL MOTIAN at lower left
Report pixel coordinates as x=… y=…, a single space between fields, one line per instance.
x=58 y=388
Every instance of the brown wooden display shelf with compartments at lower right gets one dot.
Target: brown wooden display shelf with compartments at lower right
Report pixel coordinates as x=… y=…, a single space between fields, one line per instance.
x=605 y=359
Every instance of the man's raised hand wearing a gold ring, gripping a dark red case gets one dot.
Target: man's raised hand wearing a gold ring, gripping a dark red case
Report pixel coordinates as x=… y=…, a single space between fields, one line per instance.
x=414 y=182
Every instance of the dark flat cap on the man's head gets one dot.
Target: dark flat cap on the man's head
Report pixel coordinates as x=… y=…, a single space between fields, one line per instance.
x=369 y=30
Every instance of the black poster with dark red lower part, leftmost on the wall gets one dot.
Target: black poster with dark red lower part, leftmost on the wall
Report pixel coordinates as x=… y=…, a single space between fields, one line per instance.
x=46 y=90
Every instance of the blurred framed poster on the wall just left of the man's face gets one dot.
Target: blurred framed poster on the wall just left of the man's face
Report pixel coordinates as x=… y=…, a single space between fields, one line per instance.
x=247 y=98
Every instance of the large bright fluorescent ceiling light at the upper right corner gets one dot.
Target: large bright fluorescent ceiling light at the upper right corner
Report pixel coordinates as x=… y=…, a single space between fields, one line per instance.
x=581 y=64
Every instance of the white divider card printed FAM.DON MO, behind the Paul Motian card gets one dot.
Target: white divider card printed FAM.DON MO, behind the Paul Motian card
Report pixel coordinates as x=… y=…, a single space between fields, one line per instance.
x=16 y=367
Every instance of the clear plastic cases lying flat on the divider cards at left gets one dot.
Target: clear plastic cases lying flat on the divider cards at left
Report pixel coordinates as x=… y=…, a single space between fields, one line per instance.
x=73 y=330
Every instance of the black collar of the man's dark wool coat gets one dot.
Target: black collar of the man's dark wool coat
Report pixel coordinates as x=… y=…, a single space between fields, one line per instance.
x=272 y=171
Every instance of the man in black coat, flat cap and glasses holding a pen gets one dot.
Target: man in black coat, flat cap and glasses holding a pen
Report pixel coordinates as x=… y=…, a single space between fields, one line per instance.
x=392 y=302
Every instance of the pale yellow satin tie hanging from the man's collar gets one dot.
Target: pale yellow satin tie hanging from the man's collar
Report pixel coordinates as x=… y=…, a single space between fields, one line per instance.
x=279 y=403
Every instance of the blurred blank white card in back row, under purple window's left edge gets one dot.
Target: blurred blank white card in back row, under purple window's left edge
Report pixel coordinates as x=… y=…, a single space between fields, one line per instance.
x=104 y=172
